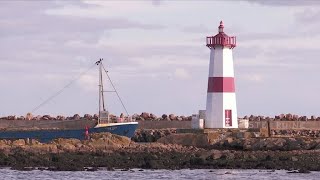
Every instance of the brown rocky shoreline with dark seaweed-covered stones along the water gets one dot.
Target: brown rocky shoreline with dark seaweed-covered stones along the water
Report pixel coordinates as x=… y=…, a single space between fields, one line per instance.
x=229 y=150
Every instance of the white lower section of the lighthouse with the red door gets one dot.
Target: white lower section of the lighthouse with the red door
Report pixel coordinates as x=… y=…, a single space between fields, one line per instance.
x=221 y=111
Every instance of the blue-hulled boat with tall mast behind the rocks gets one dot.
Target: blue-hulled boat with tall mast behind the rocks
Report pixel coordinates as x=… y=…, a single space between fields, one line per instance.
x=125 y=126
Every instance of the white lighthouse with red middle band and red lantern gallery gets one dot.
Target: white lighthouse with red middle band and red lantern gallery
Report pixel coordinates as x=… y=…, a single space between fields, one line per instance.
x=221 y=110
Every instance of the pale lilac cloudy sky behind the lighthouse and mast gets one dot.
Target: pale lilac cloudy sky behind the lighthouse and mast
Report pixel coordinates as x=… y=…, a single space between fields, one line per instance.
x=156 y=55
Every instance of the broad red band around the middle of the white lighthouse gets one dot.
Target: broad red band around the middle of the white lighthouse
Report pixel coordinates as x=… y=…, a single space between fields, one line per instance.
x=221 y=84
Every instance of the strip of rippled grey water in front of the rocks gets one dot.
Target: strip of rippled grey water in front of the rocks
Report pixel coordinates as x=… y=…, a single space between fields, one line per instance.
x=135 y=174
